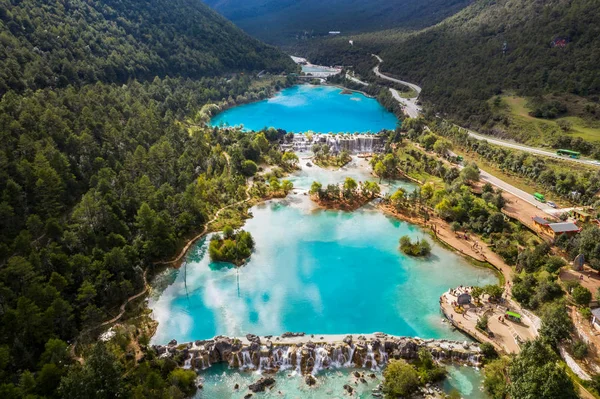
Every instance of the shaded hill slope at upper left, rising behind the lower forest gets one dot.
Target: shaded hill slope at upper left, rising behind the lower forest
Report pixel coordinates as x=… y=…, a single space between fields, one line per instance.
x=57 y=43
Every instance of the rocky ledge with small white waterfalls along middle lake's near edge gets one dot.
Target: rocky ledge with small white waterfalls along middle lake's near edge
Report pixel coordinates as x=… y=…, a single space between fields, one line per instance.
x=309 y=354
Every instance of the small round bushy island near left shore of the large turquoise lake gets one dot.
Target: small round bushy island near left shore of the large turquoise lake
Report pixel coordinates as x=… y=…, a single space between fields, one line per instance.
x=233 y=247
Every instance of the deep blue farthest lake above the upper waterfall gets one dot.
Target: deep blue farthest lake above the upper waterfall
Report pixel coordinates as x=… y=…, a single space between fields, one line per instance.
x=306 y=107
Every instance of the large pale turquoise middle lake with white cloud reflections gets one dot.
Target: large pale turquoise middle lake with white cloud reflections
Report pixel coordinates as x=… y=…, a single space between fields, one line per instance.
x=317 y=271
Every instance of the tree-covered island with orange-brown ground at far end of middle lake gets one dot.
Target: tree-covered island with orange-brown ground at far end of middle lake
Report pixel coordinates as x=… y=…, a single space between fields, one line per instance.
x=349 y=196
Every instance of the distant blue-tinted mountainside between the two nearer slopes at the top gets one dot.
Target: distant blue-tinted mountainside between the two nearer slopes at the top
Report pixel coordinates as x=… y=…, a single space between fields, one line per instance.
x=285 y=22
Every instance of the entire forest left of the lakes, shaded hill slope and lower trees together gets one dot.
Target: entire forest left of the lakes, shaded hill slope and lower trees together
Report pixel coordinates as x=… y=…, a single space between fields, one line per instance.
x=105 y=169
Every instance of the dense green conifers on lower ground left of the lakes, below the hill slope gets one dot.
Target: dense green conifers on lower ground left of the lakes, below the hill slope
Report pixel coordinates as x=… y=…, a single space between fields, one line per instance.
x=97 y=183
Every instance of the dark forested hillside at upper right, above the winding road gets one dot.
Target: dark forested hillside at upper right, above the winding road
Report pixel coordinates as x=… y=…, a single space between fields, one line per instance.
x=551 y=46
